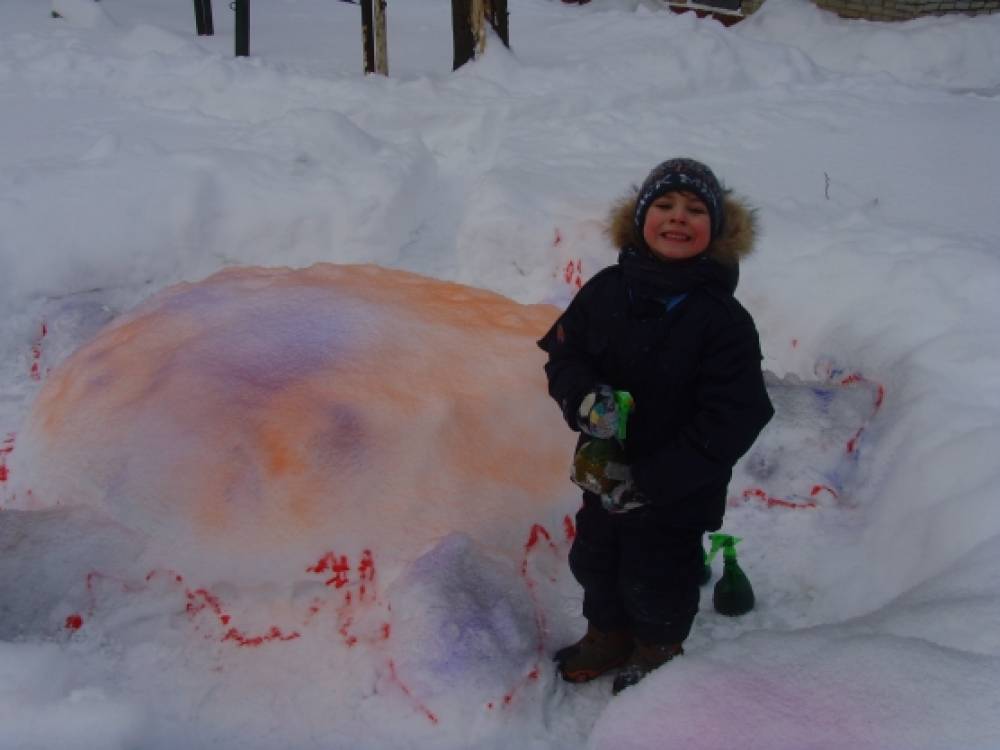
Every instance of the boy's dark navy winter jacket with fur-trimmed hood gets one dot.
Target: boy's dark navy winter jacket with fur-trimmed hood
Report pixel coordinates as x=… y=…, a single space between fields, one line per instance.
x=673 y=335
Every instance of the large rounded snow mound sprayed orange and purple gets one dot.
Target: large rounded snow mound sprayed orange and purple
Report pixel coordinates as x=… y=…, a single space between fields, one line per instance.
x=245 y=423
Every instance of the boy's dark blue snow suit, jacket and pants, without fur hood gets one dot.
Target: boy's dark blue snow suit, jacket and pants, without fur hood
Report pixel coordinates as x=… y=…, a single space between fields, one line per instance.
x=673 y=335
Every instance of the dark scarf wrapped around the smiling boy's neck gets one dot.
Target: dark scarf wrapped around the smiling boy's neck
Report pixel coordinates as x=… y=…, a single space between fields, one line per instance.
x=649 y=277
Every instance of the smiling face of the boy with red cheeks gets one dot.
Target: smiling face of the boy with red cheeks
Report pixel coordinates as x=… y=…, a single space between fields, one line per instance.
x=677 y=226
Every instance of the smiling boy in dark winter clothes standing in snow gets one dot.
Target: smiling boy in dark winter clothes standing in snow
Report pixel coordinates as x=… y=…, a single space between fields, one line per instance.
x=662 y=324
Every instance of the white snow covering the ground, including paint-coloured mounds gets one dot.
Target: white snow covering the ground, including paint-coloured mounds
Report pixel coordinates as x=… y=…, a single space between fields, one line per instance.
x=151 y=182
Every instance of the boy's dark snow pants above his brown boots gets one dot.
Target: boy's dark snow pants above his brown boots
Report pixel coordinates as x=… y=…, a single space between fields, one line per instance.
x=637 y=571
